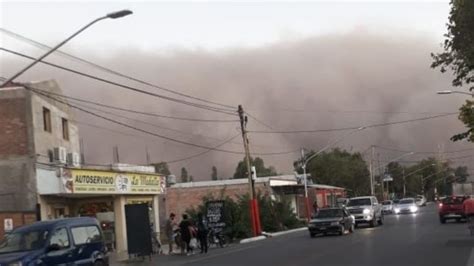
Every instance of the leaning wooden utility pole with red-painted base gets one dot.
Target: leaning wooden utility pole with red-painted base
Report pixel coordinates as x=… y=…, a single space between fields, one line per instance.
x=254 y=212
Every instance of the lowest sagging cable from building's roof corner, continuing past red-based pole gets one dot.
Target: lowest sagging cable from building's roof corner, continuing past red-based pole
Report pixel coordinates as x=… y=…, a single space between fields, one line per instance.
x=145 y=131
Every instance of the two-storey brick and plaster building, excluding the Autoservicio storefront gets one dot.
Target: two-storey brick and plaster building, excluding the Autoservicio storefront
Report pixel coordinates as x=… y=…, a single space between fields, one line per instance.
x=31 y=130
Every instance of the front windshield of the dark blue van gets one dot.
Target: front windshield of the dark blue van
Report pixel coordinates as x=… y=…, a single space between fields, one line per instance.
x=24 y=241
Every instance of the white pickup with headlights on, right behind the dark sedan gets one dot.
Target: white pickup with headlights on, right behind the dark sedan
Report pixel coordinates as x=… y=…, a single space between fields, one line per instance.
x=366 y=210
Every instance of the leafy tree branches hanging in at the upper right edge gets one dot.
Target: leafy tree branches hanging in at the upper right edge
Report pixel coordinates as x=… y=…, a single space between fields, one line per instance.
x=458 y=56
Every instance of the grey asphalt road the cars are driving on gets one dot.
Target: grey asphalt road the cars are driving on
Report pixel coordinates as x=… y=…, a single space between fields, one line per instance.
x=403 y=240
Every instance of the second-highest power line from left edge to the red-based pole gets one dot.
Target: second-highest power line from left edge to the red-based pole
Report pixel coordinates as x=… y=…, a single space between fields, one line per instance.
x=201 y=106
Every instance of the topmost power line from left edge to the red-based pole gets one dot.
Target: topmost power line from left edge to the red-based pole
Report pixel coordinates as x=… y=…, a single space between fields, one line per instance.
x=108 y=70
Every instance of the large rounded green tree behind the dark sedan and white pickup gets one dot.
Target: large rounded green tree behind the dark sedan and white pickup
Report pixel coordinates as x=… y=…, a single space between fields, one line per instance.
x=339 y=168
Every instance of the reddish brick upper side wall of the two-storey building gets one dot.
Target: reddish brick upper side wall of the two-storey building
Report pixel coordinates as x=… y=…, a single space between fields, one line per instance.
x=13 y=127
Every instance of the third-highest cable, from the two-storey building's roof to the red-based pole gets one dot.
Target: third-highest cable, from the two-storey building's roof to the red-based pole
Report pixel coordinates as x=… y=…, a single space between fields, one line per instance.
x=138 y=112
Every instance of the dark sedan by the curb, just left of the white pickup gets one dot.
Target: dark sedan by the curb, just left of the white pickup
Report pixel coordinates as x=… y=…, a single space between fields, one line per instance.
x=331 y=220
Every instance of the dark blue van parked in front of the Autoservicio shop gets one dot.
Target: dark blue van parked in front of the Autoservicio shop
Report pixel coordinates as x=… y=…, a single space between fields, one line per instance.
x=57 y=242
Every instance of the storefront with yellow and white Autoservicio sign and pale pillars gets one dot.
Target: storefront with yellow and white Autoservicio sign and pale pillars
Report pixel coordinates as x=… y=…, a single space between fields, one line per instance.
x=66 y=192
